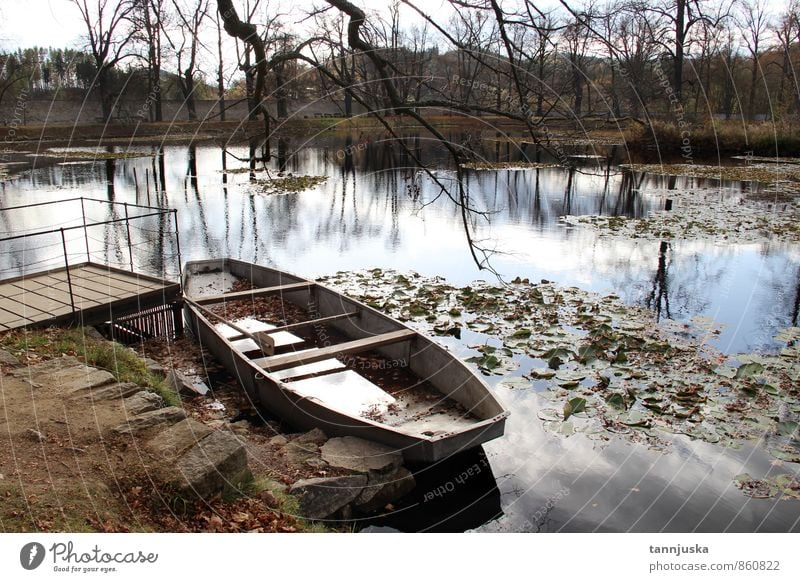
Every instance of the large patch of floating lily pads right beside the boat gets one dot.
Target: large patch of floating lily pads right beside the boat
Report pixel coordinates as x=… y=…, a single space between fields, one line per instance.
x=608 y=368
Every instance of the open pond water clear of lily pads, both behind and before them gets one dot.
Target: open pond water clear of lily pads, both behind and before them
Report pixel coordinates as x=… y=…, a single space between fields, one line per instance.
x=376 y=210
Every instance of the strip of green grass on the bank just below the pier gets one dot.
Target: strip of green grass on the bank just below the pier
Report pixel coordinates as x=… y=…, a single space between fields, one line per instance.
x=122 y=362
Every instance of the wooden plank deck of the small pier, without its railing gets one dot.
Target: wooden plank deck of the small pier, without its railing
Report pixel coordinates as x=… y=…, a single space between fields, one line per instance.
x=86 y=294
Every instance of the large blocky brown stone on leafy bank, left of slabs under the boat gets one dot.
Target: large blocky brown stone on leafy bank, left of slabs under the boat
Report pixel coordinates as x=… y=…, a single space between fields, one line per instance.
x=216 y=463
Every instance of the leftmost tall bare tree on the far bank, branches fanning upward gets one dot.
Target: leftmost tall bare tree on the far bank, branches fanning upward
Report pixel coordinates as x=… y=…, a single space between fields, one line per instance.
x=106 y=40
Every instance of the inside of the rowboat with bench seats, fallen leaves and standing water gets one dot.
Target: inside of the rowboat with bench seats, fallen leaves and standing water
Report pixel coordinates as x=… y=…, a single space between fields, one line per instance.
x=325 y=346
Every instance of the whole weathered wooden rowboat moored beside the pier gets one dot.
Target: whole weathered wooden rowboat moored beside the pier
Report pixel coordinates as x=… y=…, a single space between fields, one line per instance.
x=316 y=358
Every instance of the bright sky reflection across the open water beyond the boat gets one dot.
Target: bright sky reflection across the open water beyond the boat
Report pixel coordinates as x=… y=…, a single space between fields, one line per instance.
x=368 y=218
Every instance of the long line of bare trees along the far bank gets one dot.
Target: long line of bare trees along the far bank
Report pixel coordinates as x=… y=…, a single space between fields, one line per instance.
x=683 y=60
